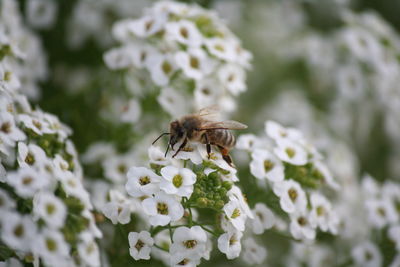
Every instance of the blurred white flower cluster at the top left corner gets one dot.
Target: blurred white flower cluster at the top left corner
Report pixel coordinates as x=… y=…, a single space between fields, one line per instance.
x=22 y=61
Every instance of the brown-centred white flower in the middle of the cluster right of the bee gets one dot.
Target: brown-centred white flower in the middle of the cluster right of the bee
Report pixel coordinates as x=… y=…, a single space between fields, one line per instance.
x=292 y=196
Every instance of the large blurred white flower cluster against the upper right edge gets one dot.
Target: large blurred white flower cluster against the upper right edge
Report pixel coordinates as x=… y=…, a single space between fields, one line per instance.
x=359 y=63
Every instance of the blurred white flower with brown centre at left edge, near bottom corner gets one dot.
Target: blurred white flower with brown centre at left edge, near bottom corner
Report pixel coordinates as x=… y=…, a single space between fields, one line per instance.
x=17 y=231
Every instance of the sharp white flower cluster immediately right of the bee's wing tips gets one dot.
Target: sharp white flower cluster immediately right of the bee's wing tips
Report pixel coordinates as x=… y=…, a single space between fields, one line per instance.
x=293 y=169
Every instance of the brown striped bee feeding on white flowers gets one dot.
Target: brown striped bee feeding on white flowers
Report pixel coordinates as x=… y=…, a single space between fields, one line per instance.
x=203 y=127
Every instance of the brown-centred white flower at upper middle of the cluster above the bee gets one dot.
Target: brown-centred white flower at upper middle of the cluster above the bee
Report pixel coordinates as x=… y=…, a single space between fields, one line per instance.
x=184 y=32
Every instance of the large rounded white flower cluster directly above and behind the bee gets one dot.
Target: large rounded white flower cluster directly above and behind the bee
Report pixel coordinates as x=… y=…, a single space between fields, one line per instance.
x=184 y=50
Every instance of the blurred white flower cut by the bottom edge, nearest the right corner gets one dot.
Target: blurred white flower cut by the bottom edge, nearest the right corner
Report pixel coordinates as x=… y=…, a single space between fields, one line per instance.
x=366 y=254
